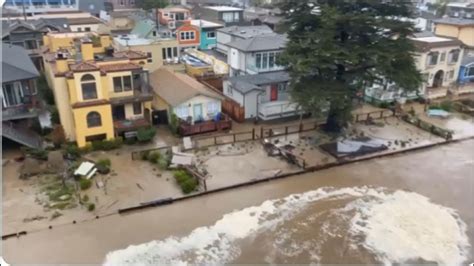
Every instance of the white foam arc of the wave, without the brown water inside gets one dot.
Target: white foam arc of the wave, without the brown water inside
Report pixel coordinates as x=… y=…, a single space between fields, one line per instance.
x=417 y=228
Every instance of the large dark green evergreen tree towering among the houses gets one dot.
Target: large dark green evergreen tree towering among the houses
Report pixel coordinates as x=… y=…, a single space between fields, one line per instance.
x=337 y=47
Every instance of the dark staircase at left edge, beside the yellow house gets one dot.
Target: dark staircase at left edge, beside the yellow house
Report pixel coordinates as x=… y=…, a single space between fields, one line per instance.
x=21 y=135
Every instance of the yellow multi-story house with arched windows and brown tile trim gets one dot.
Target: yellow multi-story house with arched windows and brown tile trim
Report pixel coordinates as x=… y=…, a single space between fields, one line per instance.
x=100 y=94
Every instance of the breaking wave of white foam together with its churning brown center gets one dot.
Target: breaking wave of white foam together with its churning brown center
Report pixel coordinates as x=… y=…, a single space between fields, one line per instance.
x=394 y=227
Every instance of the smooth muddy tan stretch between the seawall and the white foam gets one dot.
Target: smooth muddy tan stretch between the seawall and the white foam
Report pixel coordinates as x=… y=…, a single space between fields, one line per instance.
x=444 y=174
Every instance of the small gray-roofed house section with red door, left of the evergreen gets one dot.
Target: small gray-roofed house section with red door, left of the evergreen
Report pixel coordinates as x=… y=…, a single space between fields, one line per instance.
x=264 y=96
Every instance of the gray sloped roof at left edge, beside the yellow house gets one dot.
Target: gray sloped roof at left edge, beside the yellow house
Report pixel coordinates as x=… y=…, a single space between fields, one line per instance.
x=16 y=64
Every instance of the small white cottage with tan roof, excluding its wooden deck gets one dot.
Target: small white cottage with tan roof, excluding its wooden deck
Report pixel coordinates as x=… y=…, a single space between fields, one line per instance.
x=184 y=96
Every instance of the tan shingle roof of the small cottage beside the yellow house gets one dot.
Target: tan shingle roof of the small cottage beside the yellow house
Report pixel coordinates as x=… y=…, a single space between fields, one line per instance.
x=176 y=88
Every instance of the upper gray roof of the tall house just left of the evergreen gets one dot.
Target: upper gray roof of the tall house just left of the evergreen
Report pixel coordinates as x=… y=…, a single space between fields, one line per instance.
x=260 y=43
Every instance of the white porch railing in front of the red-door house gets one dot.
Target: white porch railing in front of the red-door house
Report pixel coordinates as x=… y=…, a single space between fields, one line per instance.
x=277 y=109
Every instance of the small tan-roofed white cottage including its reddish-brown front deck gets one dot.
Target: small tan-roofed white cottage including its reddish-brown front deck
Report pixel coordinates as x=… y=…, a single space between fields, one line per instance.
x=197 y=107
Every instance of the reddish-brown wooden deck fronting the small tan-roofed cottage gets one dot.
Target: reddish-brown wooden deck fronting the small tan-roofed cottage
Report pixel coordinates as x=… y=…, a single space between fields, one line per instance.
x=186 y=129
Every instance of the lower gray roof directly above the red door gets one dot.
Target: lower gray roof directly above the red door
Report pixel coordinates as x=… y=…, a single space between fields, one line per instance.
x=247 y=83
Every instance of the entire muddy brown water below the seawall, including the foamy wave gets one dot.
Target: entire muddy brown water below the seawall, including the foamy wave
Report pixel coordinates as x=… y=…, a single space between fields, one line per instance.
x=413 y=208
